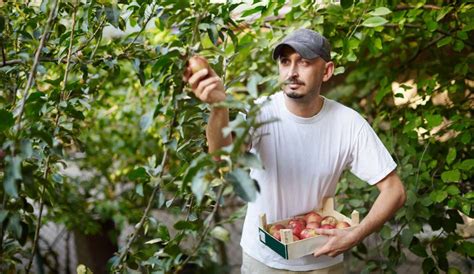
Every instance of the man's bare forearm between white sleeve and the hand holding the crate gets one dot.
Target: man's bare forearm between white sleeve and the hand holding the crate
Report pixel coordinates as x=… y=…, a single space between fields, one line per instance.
x=391 y=198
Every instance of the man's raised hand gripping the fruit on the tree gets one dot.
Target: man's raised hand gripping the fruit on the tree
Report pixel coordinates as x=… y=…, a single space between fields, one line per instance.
x=206 y=85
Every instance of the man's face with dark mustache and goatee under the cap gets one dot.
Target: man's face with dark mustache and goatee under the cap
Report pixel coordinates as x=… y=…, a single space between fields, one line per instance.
x=302 y=78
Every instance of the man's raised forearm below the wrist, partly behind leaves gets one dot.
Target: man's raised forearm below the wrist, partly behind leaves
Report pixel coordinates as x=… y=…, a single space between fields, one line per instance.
x=218 y=119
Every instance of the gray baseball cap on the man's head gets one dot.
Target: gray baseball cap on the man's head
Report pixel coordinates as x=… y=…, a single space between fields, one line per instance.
x=309 y=44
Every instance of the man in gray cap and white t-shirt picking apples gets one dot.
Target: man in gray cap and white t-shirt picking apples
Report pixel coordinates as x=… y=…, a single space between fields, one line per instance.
x=304 y=154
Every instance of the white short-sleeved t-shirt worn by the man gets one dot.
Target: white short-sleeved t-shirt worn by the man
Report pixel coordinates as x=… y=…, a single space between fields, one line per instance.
x=303 y=159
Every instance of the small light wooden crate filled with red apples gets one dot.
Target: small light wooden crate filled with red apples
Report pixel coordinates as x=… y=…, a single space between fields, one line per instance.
x=290 y=249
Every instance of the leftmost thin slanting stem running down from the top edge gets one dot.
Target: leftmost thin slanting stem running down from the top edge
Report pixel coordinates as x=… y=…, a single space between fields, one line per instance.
x=29 y=84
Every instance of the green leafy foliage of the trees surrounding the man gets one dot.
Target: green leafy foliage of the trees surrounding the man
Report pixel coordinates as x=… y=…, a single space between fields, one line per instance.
x=71 y=93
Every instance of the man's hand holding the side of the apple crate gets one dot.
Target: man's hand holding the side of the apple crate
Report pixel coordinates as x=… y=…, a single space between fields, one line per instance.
x=339 y=241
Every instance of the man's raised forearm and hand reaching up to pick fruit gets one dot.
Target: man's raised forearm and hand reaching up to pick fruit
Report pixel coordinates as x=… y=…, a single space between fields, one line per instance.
x=208 y=87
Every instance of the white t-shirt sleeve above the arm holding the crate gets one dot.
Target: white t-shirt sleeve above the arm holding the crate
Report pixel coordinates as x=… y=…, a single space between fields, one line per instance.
x=369 y=158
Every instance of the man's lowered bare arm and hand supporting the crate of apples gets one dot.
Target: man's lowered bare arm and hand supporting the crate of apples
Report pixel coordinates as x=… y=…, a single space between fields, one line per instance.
x=391 y=198
